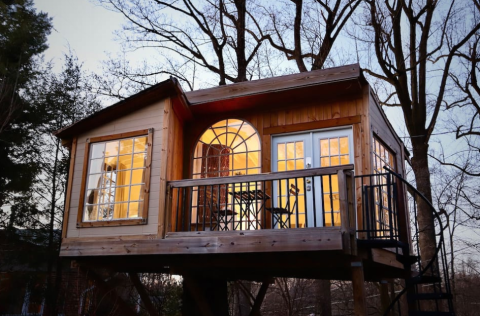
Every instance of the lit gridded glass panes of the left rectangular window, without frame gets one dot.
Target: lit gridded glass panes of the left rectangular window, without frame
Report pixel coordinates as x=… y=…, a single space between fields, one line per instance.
x=116 y=179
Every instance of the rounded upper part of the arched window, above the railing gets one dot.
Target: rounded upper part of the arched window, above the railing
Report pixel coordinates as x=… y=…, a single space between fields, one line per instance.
x=228 y=148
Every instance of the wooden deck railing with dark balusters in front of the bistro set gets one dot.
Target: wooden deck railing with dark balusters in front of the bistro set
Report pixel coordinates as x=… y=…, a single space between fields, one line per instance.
x=317 y=197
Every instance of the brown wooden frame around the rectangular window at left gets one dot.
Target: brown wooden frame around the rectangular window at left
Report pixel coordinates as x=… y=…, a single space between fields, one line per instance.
x=143 y=213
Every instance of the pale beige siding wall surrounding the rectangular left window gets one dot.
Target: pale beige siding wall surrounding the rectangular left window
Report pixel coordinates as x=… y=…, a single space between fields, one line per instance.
x=148 y=117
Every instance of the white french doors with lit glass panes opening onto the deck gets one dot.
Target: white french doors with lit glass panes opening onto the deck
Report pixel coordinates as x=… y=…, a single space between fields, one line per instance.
x=315 y=202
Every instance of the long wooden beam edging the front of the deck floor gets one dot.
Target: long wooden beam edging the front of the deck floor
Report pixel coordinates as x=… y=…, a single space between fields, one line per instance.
x=205 y=242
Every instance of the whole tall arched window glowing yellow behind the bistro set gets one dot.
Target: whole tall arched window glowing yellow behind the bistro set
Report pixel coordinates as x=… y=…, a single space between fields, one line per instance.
x=228 y=148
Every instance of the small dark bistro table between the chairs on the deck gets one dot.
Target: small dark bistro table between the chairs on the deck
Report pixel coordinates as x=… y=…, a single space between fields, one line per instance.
x=247 y=198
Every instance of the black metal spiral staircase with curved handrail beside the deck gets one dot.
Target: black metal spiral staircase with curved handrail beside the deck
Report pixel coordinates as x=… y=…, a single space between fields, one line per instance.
x=426 y=290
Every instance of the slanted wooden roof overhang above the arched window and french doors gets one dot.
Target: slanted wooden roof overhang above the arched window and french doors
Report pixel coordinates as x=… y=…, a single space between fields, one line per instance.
x=278 y=91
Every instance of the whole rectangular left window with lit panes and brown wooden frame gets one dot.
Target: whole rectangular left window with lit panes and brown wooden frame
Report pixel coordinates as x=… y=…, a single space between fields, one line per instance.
x=116 y=179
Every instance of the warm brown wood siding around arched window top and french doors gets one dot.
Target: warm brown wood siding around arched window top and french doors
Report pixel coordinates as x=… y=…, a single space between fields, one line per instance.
x=342 y=112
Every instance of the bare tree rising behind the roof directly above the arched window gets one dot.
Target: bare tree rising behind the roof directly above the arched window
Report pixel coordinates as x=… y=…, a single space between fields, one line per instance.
x=219 y=36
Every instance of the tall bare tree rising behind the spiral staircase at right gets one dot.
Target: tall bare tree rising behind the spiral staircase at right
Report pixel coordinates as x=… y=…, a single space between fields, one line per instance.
x=415 y=44
